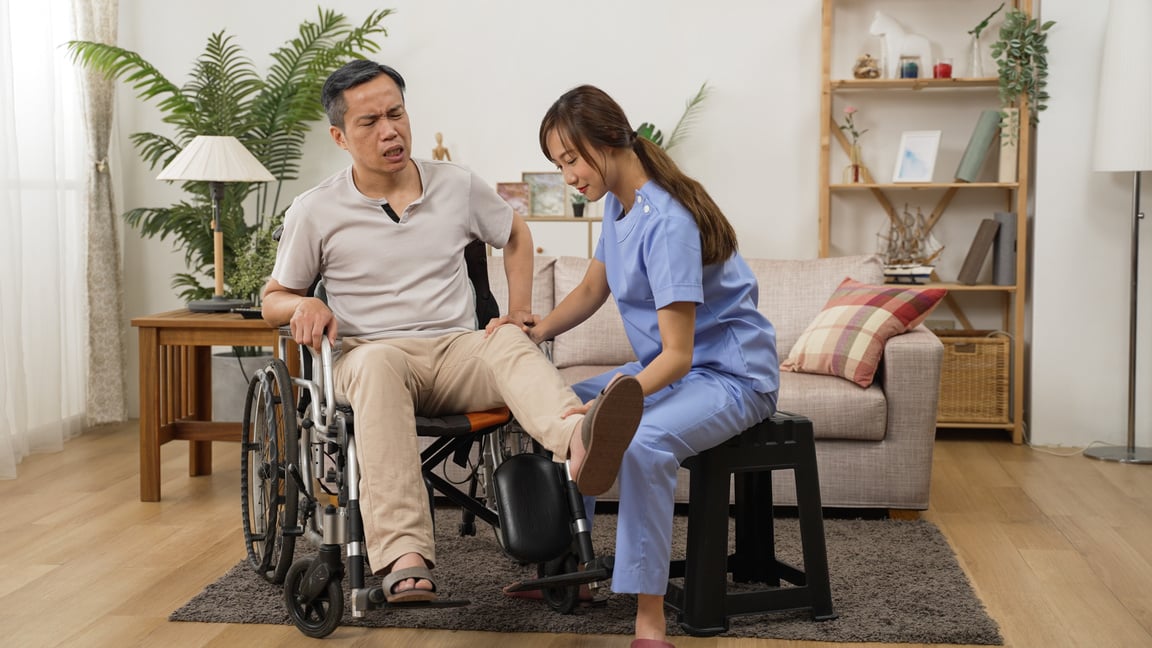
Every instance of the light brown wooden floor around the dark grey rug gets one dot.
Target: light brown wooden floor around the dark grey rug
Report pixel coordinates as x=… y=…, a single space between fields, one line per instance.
x=1059 y=548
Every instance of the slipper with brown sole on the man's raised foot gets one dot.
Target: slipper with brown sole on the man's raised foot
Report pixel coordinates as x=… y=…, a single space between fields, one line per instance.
x=608 y=430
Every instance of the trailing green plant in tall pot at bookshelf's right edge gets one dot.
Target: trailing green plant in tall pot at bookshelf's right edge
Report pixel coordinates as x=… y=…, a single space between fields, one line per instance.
x=1022 y=65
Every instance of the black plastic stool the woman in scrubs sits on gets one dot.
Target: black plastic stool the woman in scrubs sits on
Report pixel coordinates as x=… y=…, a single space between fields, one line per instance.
x=784 y=442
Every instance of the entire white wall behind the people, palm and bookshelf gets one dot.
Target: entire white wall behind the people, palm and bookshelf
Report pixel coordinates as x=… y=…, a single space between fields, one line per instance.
x=484 y=73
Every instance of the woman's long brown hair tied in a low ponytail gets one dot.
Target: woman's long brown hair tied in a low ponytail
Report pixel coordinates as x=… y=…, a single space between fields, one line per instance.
x=590 y=122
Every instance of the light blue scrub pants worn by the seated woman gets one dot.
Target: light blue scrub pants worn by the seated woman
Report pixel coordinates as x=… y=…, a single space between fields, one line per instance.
x=699 y=412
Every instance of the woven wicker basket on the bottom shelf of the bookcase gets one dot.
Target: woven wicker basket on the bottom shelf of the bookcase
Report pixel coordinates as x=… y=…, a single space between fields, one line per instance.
x=974 y=378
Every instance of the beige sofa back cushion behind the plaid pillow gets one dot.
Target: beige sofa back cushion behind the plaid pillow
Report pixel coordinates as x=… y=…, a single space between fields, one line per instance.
x=794 y=291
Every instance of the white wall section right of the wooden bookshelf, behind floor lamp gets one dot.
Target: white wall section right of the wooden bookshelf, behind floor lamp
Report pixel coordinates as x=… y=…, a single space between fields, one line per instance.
x=1082 y=257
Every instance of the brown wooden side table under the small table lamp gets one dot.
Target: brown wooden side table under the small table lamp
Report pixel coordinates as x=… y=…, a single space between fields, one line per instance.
x=176 y=370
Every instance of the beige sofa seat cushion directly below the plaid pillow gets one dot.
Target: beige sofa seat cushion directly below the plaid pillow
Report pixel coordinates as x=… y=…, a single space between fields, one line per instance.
x=838 y=409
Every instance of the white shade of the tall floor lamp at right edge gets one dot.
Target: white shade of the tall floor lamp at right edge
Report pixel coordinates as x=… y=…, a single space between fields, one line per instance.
x=1124 y=114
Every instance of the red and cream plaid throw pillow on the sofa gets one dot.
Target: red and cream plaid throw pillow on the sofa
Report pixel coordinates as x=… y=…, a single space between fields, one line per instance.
x=847 y=338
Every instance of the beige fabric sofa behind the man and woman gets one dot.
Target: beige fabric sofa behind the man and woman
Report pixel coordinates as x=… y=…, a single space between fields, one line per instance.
x=874 y=446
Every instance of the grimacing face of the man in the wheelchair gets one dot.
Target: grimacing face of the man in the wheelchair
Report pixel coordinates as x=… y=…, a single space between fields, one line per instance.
x=377 y=133
